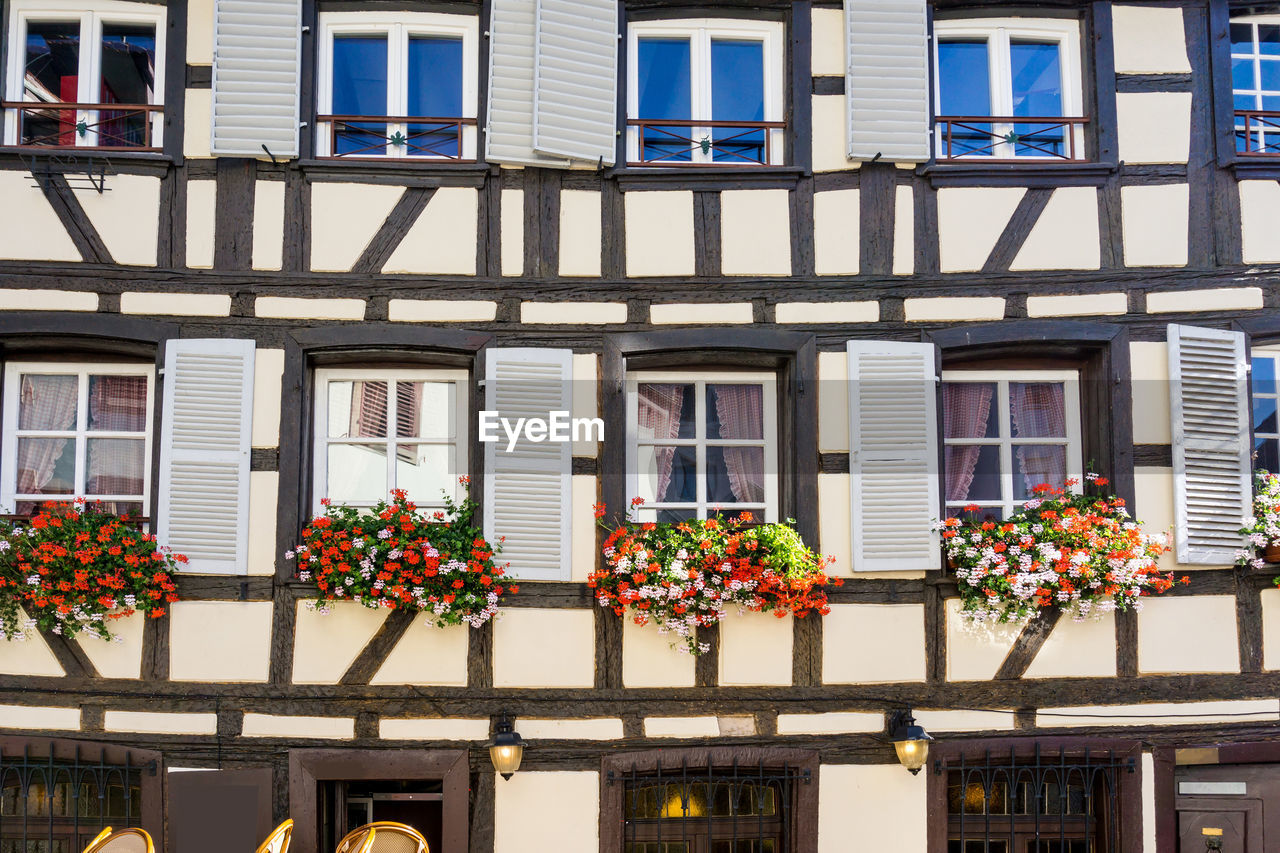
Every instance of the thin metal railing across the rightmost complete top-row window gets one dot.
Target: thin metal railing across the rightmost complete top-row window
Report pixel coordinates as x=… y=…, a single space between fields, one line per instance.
x=1013 y=138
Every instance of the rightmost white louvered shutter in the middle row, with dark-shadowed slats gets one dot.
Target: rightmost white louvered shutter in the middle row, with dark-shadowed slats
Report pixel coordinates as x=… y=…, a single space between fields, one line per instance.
x=1213 y=469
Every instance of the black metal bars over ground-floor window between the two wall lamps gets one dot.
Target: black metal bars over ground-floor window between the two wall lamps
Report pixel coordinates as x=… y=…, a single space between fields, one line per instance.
x=710 y=810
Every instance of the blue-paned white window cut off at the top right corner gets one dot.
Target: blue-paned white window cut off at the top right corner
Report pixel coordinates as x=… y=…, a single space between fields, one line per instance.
x=1256 y=84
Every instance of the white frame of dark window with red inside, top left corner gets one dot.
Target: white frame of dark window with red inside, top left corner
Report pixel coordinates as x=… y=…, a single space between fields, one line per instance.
x=92 y=16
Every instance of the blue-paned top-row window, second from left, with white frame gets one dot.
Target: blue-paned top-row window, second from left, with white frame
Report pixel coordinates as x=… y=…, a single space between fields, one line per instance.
x=397 y=85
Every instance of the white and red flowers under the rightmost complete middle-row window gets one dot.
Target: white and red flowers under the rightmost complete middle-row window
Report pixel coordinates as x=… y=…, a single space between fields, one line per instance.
x=1081 y=553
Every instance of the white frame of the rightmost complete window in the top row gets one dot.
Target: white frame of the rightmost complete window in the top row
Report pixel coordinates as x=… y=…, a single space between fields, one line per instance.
x=999 y=34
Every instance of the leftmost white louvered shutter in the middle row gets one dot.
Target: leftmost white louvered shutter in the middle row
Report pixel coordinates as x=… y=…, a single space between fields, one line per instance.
x=204 y=455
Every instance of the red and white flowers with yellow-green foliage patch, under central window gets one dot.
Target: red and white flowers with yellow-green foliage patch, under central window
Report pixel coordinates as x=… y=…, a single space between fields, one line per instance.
x=691 y=573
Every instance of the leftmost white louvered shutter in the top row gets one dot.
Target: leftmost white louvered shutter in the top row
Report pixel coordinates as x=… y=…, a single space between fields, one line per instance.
x=257 y=77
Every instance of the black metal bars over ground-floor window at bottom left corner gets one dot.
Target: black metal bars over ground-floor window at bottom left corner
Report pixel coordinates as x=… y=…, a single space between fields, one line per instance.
x=58 y=805
